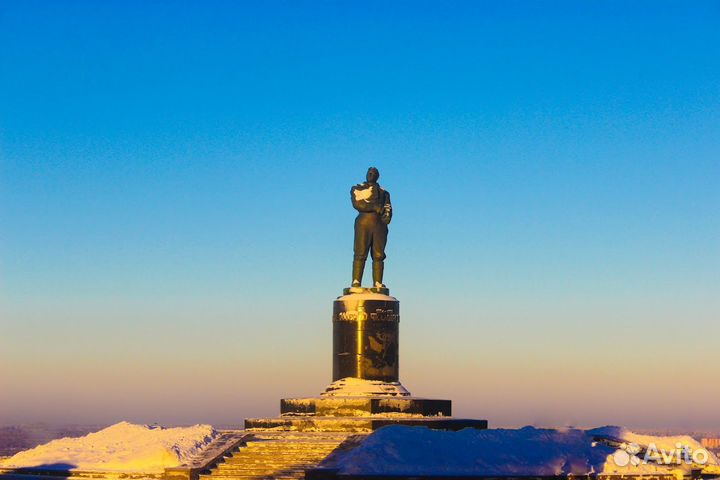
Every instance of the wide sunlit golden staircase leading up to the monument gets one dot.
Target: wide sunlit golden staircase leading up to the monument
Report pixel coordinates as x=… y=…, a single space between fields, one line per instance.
x=280 y=455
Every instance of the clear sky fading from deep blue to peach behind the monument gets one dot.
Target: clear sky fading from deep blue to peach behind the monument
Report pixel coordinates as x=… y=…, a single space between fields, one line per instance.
x=175 y=217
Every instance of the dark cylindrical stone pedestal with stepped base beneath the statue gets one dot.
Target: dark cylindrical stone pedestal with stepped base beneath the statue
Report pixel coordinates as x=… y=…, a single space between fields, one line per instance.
x=366 y=393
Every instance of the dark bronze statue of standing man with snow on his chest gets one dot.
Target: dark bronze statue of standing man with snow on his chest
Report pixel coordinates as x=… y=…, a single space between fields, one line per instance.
x=375 y=213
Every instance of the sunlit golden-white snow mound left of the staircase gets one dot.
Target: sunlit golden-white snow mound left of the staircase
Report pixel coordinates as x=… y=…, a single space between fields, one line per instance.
x=123 y=447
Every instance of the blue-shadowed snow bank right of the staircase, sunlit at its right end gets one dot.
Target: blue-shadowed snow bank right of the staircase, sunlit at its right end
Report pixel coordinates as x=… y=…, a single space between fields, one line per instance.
x=402 y=450
